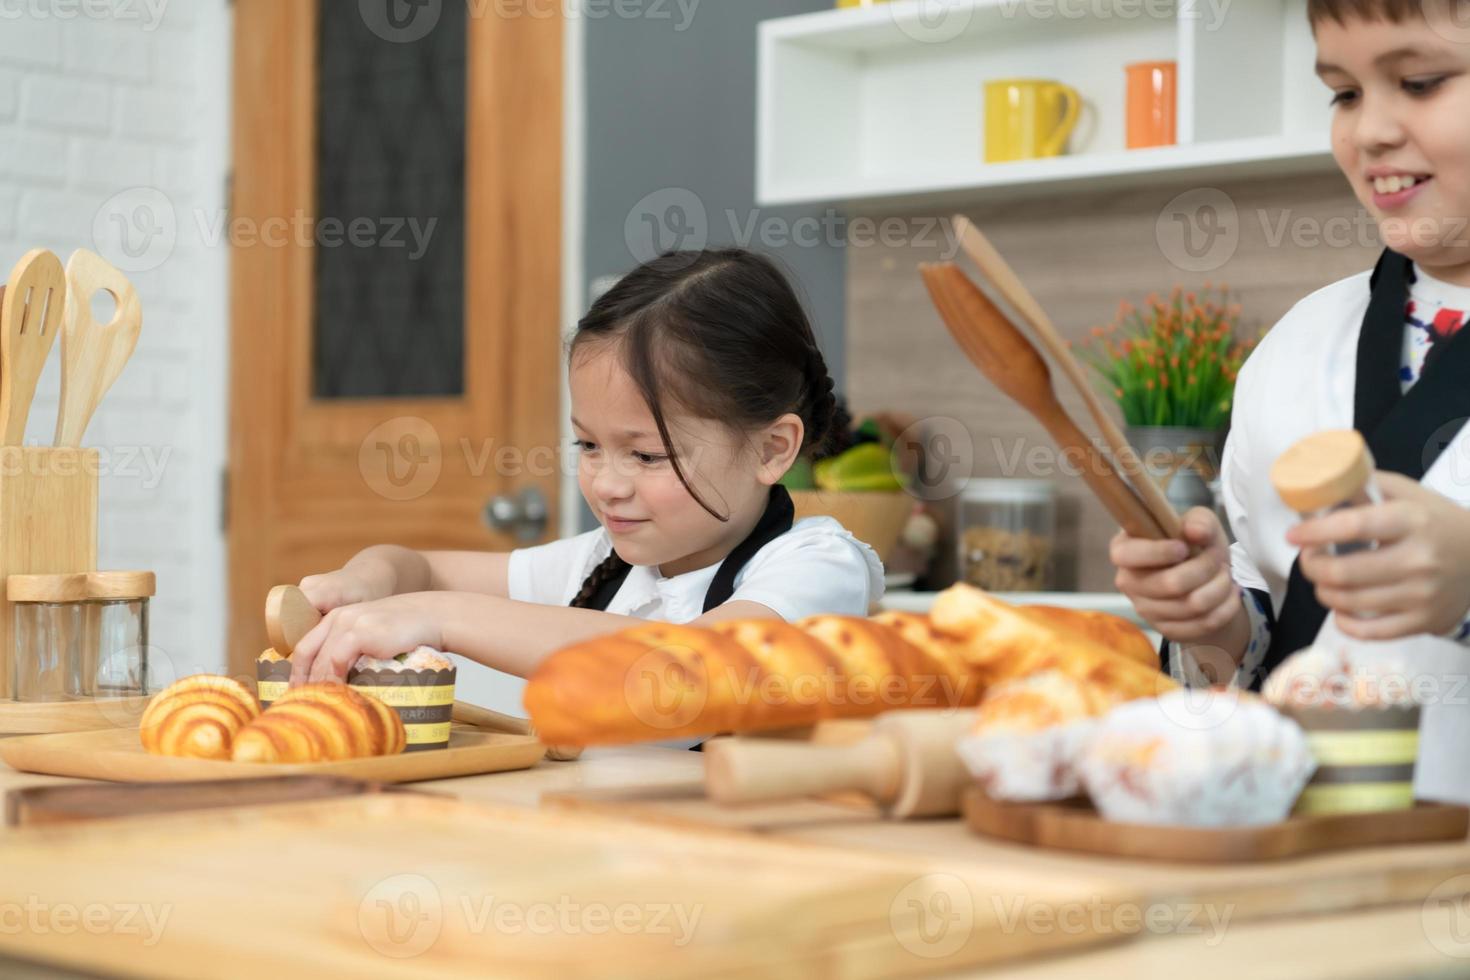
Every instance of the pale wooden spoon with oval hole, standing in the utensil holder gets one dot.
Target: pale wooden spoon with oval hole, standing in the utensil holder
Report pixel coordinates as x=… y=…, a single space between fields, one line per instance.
x=93 y=355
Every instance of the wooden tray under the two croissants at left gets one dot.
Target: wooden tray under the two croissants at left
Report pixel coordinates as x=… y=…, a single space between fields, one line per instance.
x=117 y=756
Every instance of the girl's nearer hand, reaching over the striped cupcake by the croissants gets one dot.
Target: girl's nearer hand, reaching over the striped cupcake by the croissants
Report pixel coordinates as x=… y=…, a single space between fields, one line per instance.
x=379 y=628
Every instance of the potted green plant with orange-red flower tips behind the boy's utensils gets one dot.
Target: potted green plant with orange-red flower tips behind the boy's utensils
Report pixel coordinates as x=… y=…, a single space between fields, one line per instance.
x=1171 y=365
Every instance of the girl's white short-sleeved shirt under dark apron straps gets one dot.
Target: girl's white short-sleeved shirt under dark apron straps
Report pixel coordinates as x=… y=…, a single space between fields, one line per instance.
x=815 y=568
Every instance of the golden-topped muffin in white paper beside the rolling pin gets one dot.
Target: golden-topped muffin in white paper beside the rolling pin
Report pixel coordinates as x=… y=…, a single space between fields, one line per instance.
x=1030 y=734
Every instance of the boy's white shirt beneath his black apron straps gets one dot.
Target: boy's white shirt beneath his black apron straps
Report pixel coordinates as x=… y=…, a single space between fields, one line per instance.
x=1300 y=381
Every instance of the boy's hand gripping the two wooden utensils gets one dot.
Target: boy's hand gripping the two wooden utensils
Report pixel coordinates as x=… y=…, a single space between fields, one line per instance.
x=1187 y=599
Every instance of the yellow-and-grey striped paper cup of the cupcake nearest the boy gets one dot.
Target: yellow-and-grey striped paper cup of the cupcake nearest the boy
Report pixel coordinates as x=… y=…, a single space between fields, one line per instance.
x=1365 y=759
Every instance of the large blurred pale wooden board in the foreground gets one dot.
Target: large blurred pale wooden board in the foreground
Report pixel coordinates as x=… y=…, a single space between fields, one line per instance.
x=393 y=887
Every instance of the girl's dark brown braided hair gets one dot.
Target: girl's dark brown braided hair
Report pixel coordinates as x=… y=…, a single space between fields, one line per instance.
x=723 y=336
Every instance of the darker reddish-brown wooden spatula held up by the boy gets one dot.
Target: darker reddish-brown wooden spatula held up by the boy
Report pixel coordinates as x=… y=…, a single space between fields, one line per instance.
x=1017 y=368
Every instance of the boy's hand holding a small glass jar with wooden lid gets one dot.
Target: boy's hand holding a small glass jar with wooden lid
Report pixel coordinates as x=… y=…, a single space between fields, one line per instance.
x=1418 y=581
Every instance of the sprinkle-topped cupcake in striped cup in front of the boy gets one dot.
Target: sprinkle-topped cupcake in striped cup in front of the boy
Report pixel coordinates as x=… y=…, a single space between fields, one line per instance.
x=1362 y=721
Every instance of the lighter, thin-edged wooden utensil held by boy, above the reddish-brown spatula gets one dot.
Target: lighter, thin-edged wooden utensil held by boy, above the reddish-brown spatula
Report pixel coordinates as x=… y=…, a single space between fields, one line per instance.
x=984 y=255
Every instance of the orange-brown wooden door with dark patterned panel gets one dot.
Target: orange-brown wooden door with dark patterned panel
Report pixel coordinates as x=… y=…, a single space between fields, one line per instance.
x=345 y=430
